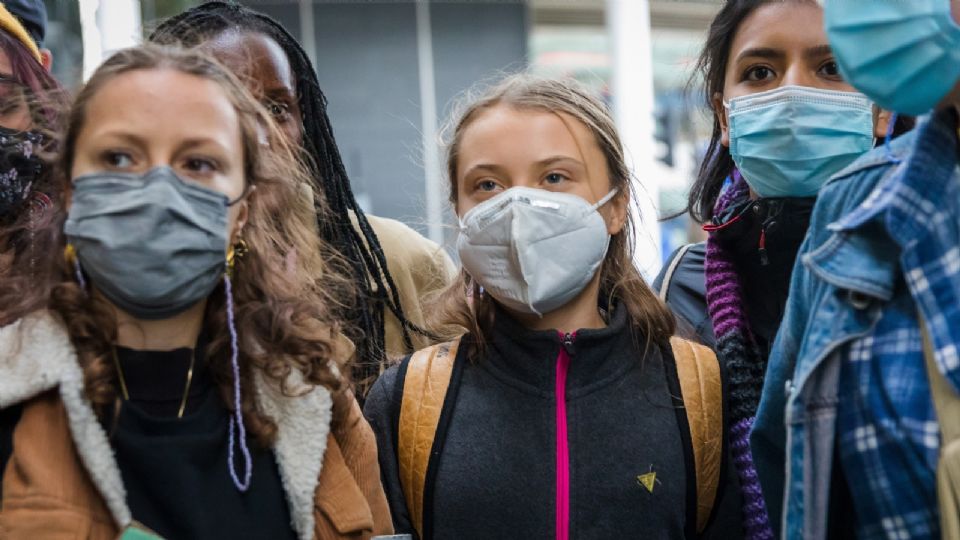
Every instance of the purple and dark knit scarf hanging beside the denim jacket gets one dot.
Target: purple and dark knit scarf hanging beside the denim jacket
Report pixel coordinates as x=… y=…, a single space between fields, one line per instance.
x=737 y=350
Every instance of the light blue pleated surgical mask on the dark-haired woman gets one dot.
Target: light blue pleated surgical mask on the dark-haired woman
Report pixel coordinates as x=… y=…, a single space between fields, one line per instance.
x=787 y=142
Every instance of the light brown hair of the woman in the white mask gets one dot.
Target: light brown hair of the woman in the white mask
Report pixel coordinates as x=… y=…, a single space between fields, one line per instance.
x=461 y=307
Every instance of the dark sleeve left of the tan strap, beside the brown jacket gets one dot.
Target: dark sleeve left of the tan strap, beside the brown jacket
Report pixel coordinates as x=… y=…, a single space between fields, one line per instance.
x=382 y=409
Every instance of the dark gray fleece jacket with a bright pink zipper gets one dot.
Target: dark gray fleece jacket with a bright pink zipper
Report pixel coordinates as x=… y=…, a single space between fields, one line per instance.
x=495 y=474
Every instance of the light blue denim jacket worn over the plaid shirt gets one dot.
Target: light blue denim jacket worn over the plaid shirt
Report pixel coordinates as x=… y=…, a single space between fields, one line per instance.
x=846 y=274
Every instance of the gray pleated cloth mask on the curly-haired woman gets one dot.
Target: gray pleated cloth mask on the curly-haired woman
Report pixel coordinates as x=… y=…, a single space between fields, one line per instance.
x=153 y=244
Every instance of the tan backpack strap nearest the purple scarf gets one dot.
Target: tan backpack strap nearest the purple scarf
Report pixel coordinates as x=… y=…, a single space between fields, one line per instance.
x=699 y=374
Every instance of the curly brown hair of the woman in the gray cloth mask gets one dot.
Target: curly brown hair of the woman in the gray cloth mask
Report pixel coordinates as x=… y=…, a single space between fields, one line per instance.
x=287 y=289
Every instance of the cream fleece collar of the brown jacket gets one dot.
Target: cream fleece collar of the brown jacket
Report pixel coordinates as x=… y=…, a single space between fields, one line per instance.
x=36 y=356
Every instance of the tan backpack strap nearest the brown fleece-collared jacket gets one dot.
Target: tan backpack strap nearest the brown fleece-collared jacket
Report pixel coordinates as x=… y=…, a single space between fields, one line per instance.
x=424 y=390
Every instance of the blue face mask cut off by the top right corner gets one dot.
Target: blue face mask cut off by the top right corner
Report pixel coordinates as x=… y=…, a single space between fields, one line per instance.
x=903 y=54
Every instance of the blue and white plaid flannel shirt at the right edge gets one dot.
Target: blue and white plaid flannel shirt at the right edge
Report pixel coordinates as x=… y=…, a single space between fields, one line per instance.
x=887 y=428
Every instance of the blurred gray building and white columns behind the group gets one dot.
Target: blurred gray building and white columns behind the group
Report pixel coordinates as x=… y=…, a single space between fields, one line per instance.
x=393 y=70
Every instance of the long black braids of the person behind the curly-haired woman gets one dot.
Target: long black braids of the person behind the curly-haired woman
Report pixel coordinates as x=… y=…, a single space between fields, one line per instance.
x=360 y=248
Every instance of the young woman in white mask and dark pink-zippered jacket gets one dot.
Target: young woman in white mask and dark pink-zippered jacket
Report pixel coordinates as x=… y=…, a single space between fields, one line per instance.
x=566 y=409
